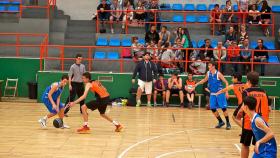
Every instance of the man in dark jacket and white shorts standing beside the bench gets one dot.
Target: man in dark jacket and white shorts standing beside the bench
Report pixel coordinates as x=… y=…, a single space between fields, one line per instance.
x=147 y=72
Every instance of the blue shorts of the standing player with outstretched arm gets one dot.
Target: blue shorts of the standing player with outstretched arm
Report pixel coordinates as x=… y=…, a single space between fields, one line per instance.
x=219 y=101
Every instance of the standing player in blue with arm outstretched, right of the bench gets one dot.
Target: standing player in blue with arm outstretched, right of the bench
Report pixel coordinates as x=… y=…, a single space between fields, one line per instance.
x=215 y=83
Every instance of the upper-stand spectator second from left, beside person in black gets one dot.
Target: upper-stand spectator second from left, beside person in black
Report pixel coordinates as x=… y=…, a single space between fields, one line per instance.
x=116 y=13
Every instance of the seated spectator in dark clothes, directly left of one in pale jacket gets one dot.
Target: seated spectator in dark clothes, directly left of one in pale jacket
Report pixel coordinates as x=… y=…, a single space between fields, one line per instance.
x=206 y=53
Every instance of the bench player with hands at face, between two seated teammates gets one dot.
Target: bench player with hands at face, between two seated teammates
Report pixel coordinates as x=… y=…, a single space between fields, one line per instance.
x=175 y=87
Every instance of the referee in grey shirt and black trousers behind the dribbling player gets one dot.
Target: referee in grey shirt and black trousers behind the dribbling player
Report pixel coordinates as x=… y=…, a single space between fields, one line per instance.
x=76 y=85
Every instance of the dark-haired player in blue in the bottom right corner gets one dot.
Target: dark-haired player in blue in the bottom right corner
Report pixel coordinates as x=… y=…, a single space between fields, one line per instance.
x=265 y=146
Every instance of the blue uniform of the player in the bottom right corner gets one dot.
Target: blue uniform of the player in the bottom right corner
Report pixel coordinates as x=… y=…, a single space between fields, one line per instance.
x=269 y=147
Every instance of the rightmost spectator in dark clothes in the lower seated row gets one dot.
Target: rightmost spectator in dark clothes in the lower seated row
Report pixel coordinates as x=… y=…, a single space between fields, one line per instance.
x=261 y=56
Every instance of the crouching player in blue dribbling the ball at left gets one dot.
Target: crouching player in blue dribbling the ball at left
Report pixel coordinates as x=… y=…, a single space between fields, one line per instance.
x=51 y=99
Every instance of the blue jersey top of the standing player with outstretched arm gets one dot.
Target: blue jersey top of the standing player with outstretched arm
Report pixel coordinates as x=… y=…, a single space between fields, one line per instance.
x=214 y=83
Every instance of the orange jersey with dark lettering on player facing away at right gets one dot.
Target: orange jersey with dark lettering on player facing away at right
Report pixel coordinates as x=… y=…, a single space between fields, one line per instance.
x=262 y=107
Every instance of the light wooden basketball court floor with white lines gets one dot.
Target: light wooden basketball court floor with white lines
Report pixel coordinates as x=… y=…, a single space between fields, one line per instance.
x=149 y=132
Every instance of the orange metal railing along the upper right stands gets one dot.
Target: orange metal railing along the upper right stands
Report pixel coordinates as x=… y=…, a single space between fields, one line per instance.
x=185 y=13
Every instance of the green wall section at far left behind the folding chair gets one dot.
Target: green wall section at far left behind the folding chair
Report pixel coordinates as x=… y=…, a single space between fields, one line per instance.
x=23 y=69
